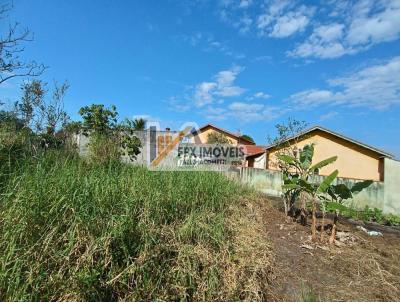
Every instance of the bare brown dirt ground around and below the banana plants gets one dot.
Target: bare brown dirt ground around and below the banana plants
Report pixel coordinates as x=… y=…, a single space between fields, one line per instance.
x=363 y=269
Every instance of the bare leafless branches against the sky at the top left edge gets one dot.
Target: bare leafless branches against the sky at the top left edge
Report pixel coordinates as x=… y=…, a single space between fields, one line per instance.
x=11 y=47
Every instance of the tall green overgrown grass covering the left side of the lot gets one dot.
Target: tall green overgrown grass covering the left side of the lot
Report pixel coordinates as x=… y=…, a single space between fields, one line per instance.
x=73 y=230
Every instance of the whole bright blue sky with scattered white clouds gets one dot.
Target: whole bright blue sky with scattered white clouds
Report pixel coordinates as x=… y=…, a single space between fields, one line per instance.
x=243 y=65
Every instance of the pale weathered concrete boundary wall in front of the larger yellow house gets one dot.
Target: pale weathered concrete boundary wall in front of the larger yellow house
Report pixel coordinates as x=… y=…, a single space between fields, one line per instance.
x=381 y=195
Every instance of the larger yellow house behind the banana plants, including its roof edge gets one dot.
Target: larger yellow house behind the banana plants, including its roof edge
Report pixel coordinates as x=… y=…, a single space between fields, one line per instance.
x=355 y=159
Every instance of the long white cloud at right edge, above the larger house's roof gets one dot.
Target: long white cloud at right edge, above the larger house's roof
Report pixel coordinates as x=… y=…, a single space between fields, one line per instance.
x=375 y=87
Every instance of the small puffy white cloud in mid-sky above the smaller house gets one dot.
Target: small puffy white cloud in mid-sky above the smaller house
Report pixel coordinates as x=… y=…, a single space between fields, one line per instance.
x=222 y=86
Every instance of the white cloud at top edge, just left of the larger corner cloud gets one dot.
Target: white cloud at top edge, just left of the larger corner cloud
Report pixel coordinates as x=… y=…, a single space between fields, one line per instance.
x=282 y=19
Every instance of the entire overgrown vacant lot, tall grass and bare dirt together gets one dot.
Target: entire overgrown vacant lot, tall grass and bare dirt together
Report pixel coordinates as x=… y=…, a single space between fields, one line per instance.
x=75 y=231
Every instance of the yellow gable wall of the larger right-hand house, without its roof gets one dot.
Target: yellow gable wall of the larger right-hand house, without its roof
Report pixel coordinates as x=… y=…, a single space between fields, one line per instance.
x=353 y=161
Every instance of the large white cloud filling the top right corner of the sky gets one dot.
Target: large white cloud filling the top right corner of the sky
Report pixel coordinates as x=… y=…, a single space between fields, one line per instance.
x=369 y=23
